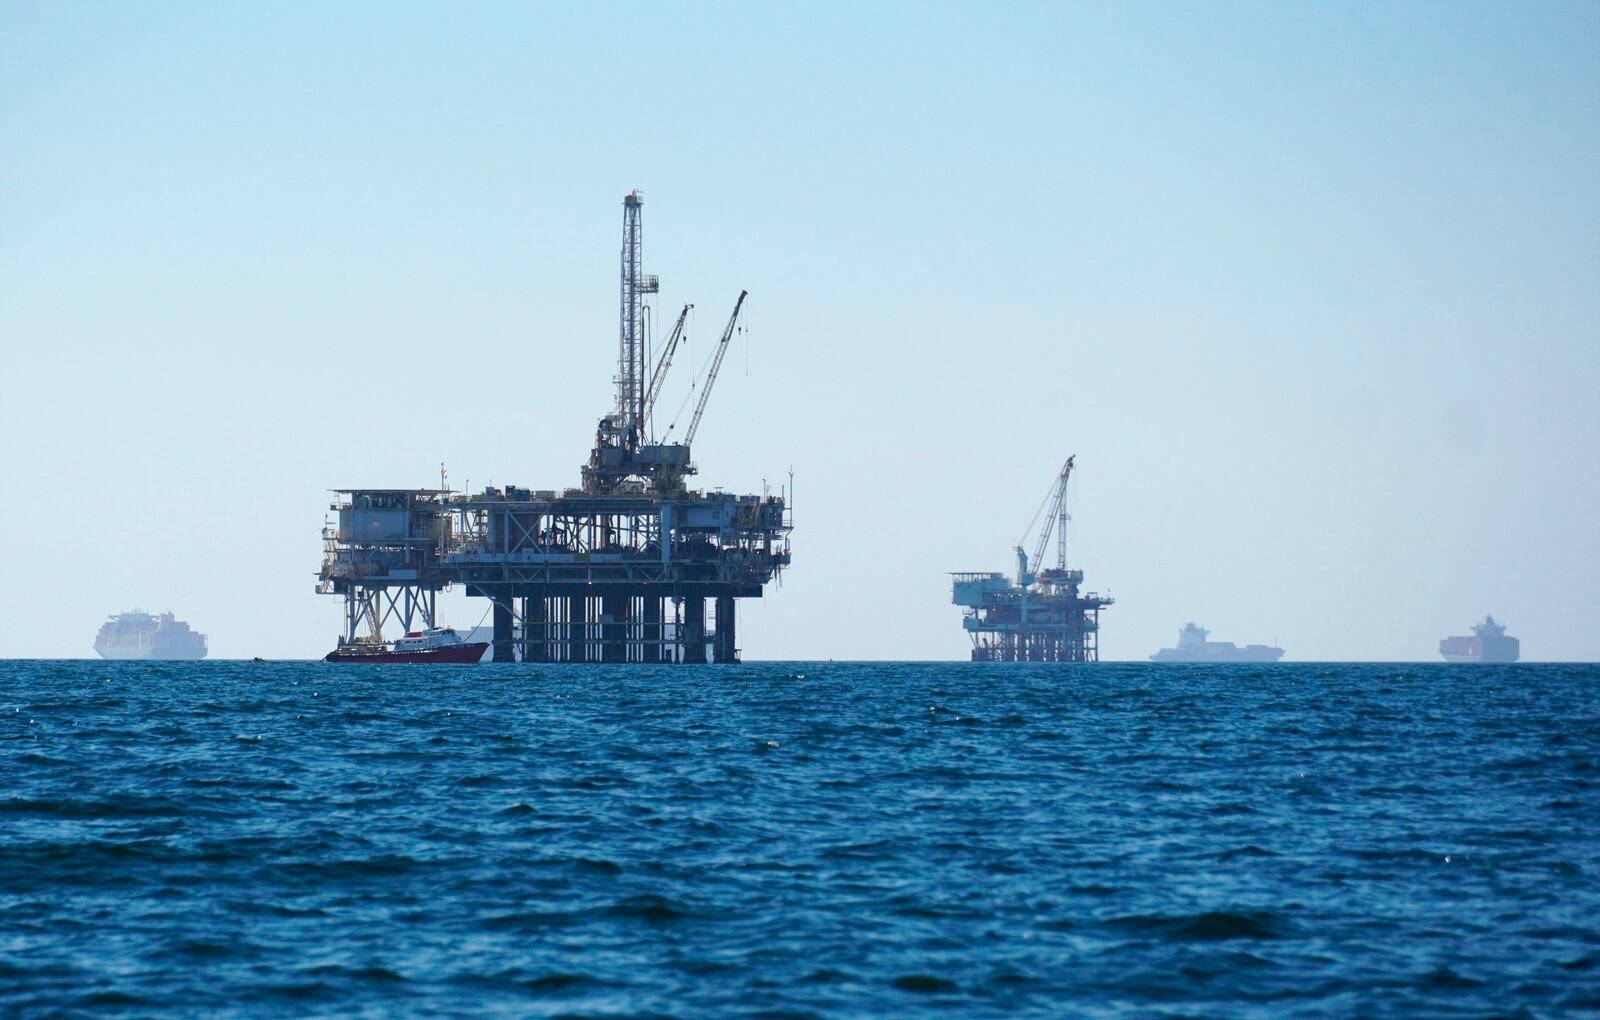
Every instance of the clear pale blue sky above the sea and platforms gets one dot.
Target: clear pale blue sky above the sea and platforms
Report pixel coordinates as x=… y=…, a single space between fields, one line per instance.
x=1310 y=292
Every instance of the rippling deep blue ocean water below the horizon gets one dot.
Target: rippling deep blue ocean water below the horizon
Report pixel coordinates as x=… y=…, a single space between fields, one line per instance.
x=799 y=840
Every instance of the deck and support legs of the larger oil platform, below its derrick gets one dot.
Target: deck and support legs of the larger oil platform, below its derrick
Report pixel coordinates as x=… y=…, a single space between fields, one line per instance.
x=572 y=578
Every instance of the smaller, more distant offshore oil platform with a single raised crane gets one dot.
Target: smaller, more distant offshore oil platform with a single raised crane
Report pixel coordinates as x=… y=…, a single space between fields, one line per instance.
x=1041 y=616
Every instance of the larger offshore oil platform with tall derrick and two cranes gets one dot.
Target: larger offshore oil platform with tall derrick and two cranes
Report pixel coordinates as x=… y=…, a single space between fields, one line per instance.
x=618 y=570
